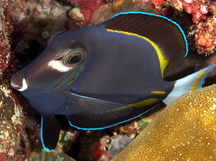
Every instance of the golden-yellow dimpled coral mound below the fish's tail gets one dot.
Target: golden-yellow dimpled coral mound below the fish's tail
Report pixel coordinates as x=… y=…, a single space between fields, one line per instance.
x=185 y=130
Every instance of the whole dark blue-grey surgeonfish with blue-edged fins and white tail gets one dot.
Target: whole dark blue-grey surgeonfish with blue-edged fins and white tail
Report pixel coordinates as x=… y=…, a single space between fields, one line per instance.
x=107 y=74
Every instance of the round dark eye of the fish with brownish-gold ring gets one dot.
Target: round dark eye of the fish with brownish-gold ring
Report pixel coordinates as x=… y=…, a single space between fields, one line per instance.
x=74 y=57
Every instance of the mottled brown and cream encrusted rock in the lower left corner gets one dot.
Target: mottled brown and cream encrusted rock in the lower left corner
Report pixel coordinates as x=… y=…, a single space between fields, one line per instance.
x=12 y=128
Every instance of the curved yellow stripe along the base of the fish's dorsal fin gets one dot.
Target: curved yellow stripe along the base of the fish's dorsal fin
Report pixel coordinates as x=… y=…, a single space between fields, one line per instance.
x=163 y=61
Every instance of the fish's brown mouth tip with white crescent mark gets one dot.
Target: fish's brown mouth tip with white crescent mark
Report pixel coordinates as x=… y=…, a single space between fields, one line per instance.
x=18 y=82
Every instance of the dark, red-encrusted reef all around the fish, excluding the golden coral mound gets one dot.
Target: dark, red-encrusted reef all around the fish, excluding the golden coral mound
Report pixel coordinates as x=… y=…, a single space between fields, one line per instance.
x=25 y=29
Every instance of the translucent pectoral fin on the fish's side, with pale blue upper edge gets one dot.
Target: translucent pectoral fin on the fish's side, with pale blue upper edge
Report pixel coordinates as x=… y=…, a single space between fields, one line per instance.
x=94 y=108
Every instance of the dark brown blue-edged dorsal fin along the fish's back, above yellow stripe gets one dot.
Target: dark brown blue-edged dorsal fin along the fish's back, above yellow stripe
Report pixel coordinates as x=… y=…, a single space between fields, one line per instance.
x=164 y=32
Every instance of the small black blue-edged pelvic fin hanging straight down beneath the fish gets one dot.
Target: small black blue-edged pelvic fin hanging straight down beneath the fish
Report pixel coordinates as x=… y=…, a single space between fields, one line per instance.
x=50 y=129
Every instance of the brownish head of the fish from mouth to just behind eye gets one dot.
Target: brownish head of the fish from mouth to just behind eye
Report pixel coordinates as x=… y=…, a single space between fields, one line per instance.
x=54 y=68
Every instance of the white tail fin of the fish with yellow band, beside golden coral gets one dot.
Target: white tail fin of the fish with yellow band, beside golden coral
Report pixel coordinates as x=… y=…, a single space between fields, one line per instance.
x=188 y=83
